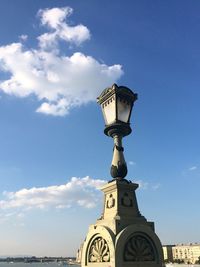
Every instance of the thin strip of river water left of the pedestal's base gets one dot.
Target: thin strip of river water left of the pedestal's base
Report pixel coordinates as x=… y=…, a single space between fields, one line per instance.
x=49 y=264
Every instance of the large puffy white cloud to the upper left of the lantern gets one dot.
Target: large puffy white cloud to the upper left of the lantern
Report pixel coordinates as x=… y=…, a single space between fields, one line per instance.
x=58 y=81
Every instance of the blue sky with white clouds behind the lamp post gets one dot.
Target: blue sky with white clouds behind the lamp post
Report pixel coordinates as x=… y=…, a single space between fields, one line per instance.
x=55 y=59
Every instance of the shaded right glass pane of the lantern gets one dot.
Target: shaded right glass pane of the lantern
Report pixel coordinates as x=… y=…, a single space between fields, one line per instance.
x=123 y=109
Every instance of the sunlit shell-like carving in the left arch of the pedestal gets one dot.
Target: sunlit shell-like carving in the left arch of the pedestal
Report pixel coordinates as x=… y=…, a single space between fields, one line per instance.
x=99 y=251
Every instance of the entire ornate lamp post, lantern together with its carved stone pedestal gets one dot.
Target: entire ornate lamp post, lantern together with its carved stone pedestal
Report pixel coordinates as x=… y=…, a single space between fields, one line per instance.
x=122 y=236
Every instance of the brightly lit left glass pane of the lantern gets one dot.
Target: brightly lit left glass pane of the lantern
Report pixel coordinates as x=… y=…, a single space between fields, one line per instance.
x=109 y=111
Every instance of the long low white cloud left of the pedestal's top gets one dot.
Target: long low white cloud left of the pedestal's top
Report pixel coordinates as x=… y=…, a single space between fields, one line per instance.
x=78 y=191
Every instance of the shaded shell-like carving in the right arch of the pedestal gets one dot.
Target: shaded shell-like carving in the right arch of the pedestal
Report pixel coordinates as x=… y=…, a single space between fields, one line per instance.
x=139 y=248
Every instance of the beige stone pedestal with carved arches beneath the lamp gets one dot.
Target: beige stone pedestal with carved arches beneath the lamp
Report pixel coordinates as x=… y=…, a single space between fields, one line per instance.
x=122 y=237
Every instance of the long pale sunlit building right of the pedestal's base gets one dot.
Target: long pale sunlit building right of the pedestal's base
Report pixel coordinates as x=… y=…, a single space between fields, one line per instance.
x=187 y=253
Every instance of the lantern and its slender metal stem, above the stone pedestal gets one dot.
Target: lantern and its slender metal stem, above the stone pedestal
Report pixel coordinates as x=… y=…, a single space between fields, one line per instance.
x=116 y=104
